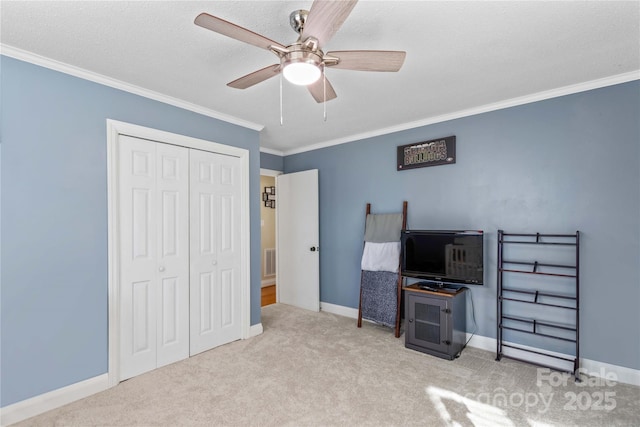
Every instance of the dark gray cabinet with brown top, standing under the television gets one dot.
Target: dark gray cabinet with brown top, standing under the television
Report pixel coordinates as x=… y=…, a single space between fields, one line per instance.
x=436 y=321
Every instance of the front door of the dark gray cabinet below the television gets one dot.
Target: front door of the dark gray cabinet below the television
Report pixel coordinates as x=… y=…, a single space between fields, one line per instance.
x=428 y=322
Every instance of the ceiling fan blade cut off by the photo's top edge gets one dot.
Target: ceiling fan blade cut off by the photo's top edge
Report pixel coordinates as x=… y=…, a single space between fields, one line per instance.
x=325 y=18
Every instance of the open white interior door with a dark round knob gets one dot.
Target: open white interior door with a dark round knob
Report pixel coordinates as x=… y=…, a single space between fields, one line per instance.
x=297 y=218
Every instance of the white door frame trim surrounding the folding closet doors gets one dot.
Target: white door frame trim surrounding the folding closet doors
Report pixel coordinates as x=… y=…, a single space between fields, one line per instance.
x=114 y=130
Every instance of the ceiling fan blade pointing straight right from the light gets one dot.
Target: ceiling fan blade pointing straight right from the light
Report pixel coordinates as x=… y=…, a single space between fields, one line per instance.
x=368 y=60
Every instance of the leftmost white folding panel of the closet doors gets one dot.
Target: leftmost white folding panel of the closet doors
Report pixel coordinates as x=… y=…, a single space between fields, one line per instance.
x=138 y=279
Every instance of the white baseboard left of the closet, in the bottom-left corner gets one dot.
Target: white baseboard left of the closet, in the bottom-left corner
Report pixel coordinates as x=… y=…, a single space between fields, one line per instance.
x=54 y=399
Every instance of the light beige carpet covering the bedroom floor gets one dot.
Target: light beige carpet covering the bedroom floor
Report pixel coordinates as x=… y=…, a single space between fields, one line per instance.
x=319 y=369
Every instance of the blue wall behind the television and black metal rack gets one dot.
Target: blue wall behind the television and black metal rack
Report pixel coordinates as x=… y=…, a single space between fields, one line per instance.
x=560 y=165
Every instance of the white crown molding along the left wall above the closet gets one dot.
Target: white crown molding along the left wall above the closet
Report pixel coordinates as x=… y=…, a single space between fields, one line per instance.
x=62 y=67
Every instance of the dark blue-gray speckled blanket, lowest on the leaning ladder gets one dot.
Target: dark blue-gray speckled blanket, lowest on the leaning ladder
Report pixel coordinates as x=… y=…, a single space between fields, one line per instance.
x=379 y=296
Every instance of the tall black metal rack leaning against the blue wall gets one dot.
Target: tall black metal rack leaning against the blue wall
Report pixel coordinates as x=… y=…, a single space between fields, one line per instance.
x=563 y=299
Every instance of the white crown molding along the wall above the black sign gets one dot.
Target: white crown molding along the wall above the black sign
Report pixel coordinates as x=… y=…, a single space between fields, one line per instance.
x=514 y=102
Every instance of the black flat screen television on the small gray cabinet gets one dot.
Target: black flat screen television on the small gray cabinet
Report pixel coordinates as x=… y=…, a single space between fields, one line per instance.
x=443 y=257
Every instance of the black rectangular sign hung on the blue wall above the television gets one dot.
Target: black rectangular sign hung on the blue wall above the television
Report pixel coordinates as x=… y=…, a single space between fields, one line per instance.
x=441 y=151
